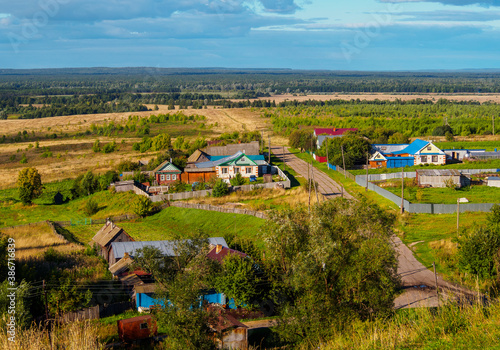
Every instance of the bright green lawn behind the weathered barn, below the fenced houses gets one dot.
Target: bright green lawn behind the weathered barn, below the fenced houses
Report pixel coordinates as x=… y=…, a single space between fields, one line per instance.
x=175 y=222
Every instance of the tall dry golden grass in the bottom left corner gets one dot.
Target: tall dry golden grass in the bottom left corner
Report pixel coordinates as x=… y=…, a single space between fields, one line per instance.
x=74 y=336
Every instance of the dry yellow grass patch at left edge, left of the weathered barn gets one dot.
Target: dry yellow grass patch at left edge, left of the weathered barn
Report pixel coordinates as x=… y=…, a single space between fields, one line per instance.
x=34 y=240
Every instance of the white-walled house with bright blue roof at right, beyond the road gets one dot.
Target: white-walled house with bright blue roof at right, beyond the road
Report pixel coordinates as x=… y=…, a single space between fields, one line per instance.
x=416 y=153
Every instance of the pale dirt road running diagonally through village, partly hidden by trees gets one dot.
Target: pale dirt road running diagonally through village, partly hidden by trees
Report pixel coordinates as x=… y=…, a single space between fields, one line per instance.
x=418 y=281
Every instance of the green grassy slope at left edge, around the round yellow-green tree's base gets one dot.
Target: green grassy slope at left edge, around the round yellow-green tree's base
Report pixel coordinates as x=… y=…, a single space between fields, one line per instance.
x=13 y=212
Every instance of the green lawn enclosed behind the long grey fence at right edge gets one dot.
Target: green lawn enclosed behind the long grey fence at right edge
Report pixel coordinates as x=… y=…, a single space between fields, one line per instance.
x=475 y=194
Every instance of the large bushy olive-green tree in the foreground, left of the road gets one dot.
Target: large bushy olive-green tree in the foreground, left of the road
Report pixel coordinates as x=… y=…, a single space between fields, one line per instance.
x=333 y=266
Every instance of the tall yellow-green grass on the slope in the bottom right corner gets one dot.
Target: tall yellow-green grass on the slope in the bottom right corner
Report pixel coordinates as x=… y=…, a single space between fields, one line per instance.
x=452 y=326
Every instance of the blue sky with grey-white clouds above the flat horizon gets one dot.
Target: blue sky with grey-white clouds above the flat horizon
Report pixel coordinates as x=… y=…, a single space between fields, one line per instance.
x=300 y=34
